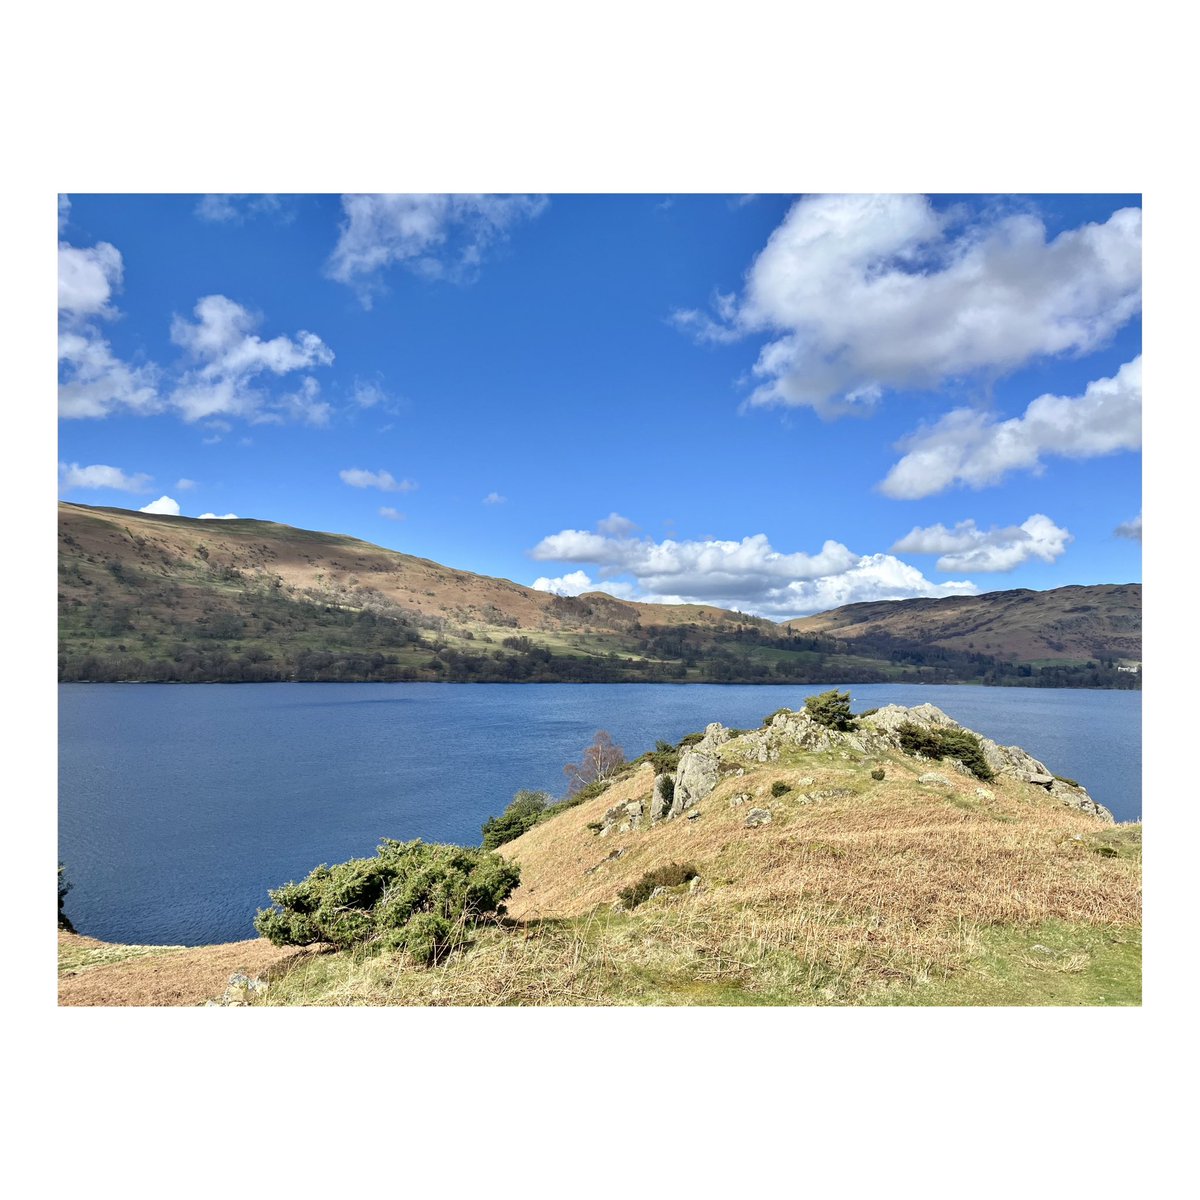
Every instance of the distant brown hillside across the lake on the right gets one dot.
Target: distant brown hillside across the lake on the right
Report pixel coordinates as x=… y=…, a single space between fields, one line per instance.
x=1071 y=625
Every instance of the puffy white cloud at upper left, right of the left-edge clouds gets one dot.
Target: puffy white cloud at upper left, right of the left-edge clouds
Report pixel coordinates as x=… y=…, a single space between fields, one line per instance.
x=229 y=359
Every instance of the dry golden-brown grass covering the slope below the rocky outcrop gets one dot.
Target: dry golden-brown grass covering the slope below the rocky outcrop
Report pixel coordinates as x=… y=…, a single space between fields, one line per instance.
x=893 y=883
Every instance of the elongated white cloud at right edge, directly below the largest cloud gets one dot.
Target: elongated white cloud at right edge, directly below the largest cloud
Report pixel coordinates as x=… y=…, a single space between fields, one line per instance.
x=973 y=448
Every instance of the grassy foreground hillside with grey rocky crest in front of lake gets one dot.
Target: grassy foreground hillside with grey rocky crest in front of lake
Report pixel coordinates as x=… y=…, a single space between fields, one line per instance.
x=829 y=869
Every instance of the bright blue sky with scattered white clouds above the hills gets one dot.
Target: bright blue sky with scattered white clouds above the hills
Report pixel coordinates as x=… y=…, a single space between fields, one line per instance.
x=773 y=404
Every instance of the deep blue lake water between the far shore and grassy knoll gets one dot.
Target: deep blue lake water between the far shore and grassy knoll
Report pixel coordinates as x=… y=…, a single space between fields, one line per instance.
x=181 y=806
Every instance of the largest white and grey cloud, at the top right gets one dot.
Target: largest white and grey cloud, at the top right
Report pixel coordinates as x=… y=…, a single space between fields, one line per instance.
x=863 y=295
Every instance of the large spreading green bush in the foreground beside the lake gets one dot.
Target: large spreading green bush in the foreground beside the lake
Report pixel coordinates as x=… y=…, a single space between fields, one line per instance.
x=411 y=896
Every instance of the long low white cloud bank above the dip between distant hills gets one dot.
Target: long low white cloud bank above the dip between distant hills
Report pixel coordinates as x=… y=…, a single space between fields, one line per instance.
x=749 y=574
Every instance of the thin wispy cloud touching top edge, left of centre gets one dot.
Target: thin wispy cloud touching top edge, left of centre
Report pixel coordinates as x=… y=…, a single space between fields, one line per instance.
x=436 y=237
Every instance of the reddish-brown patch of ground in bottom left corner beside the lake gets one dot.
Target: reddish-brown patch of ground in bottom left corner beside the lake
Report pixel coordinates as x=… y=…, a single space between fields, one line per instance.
x=172 y=977
